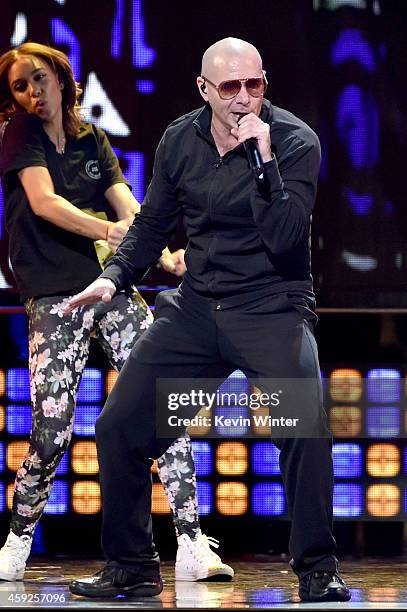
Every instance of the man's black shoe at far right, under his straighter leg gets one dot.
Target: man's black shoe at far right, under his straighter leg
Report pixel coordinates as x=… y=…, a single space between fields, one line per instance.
x=323 y=586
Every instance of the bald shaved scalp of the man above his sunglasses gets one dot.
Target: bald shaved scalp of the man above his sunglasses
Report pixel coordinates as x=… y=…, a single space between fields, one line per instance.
x=226 y=53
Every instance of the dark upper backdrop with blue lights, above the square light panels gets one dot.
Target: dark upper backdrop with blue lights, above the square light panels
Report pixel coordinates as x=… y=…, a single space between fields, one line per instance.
x=340 y=68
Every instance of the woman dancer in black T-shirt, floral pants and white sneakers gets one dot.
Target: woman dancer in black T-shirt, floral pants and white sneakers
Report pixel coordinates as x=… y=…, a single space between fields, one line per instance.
x=62 y=184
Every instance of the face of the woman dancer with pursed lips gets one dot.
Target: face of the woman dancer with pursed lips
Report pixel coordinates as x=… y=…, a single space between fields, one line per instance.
x=35 y=88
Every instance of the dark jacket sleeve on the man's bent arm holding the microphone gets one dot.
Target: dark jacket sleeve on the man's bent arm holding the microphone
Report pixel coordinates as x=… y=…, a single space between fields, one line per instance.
x=282 y=207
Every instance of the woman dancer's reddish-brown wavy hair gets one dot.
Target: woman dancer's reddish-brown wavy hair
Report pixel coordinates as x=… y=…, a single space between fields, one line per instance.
x=60 y=65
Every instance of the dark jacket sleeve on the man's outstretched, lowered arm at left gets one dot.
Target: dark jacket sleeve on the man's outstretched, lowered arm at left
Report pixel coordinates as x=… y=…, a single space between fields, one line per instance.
x=151 y=229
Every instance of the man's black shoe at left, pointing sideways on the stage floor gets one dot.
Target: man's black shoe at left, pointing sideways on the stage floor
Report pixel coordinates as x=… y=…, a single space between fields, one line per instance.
x=114 y=580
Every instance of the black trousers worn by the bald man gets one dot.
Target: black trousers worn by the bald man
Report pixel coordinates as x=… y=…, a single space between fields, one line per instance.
x=195 y=337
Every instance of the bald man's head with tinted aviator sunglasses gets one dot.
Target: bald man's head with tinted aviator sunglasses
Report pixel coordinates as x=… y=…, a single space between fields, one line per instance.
x=231 y=80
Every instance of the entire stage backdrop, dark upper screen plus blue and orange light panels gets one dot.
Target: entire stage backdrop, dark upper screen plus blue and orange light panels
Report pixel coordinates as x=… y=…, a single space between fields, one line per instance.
x=340 y=65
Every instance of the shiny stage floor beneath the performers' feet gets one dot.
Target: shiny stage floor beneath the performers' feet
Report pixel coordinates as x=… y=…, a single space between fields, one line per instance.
x=375 y=584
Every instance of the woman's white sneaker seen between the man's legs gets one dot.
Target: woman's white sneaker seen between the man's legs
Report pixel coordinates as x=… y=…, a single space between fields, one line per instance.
x=196 y=561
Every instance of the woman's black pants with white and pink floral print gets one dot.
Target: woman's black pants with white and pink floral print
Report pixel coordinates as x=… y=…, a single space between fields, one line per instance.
x=59 y=348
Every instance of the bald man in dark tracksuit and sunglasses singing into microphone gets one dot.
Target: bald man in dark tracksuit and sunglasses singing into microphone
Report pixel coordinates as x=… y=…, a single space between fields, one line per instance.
x=243 y=174
